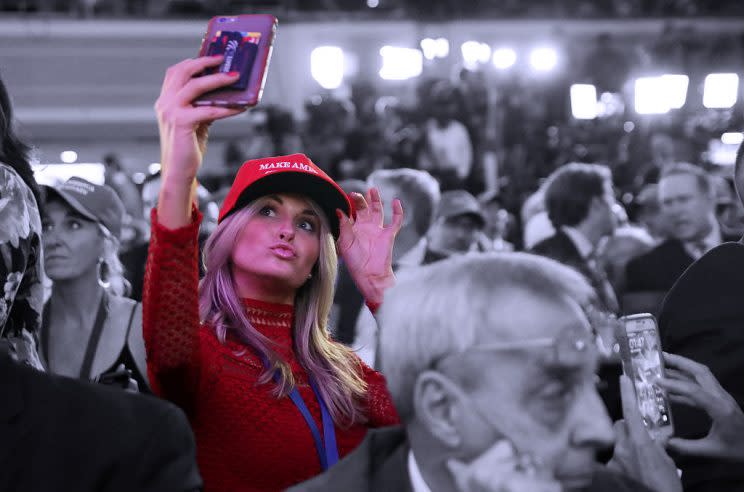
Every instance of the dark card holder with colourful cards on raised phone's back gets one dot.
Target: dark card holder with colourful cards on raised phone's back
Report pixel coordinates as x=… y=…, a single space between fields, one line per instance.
x=240 y=50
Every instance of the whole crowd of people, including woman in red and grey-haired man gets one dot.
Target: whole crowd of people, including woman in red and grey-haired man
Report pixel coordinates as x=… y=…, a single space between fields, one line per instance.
x=348 y=323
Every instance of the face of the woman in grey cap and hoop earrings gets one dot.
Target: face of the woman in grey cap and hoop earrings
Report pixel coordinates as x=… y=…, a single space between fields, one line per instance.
x=72 y=243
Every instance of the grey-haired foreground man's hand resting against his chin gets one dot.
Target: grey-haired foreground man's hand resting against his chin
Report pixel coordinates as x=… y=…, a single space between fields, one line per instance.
x=502 y=469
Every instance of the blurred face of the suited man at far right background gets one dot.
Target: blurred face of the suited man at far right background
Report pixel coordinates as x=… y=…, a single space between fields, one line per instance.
x=687 y=208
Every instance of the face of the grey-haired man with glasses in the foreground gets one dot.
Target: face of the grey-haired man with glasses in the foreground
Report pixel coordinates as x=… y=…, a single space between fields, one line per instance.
x=539 y=393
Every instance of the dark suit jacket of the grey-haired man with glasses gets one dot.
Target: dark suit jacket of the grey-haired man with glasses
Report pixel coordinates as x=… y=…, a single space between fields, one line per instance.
x=380 y=464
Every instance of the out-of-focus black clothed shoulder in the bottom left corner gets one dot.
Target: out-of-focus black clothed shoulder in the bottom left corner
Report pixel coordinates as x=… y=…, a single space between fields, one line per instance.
x=60 y=434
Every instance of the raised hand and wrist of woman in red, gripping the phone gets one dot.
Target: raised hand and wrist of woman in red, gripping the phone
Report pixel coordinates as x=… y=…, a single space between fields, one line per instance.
x=183 y=133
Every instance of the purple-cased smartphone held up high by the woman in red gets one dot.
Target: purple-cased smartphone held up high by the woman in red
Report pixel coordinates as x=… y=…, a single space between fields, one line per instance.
x=246 y=41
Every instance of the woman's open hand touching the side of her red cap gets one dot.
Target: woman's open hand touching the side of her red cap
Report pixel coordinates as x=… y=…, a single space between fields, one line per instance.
x=366 y=244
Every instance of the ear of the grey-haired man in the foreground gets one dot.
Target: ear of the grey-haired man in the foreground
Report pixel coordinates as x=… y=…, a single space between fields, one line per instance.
x=437 y=407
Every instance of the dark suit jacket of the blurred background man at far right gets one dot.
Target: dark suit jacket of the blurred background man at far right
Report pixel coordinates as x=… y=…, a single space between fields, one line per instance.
x=658 y=269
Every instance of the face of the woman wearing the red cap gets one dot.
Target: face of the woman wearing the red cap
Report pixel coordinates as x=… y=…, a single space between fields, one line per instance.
x=278 y=246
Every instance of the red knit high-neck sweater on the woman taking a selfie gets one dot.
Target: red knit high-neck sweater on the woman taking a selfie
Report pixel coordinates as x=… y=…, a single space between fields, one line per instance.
x=247 y=439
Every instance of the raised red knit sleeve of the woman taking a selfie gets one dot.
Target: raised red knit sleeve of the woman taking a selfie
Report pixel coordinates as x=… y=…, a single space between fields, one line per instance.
x=170 y=310
